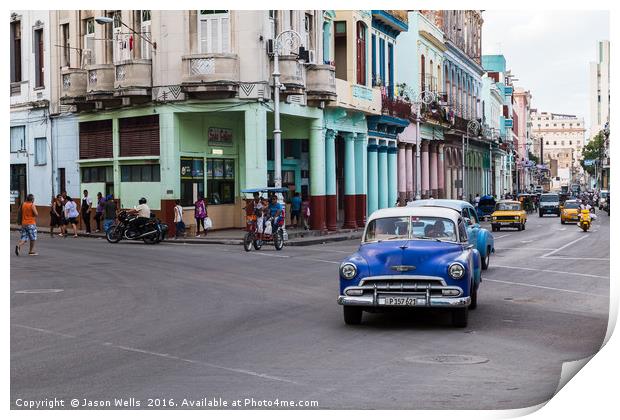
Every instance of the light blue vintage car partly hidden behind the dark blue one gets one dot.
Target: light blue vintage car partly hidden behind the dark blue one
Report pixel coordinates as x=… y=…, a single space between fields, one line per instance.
x=479 y=237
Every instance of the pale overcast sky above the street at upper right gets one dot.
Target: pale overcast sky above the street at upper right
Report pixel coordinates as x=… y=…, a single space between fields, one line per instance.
x=549 y=52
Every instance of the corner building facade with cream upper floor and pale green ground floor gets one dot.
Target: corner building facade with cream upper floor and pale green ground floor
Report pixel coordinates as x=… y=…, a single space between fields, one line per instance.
x=186 y=109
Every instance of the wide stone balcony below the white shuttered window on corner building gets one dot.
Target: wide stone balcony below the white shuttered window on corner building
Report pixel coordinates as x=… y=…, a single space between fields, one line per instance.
x=211 y=75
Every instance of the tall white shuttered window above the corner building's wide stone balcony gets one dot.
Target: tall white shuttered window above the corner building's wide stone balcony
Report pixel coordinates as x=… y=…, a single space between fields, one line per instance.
x=214 y=31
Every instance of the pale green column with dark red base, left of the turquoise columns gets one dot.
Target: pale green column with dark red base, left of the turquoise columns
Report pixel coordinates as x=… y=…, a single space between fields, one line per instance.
x=317 y=175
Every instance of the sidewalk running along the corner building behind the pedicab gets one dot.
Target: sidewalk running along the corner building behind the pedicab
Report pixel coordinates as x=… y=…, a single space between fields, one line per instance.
x=297 y=237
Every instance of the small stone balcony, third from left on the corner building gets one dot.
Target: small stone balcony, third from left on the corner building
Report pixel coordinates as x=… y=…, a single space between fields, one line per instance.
x=133 y=81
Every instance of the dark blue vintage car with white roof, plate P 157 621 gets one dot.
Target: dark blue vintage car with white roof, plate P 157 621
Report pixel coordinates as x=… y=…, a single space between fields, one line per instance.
x=412 y=257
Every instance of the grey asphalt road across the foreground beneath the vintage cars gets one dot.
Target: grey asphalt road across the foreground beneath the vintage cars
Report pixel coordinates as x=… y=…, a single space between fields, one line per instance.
x=177 y=321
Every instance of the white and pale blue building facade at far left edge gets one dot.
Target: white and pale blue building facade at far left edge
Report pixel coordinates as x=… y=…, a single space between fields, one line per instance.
x=31 y=157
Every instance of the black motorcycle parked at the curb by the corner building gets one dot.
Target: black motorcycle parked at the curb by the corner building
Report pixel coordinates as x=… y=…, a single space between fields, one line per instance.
x=128 y=227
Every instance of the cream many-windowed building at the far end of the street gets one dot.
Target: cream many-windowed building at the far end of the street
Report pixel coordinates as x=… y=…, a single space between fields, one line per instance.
x=563 y=138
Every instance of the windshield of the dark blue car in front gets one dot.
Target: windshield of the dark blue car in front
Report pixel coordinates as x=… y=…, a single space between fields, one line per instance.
x=416 y=227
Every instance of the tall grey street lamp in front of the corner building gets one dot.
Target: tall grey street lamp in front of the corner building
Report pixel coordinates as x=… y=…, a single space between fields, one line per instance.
x=287 y=38
